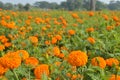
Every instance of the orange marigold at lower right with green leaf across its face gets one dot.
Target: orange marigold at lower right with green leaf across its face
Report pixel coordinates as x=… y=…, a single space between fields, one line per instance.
x=98 y=61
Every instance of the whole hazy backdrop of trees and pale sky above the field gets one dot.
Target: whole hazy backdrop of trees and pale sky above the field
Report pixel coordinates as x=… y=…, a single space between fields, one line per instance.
x=71 y=5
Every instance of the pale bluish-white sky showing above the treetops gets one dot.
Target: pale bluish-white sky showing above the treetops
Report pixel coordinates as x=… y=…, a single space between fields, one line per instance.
x=33 y=1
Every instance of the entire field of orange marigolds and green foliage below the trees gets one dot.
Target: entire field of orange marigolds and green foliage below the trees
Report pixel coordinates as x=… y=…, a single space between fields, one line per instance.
x=59 y=45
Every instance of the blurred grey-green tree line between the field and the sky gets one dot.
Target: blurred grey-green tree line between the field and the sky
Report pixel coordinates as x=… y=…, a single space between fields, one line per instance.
x=66 y=5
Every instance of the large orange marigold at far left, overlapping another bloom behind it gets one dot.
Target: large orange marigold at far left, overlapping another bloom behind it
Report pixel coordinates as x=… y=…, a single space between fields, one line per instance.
x=11 y=60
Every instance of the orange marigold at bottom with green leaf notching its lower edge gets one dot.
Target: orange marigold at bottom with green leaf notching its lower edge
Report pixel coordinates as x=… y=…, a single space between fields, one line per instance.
x=40 y=70
